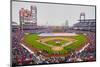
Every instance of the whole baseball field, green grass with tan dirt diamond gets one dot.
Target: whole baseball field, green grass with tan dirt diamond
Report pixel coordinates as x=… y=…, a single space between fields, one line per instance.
x=55 y=44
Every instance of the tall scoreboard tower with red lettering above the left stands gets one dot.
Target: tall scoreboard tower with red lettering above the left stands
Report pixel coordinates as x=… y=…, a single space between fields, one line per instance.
x=28 y=18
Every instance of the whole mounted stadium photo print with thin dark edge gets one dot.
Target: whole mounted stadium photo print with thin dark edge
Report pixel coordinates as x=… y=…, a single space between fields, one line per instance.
x=52 y=33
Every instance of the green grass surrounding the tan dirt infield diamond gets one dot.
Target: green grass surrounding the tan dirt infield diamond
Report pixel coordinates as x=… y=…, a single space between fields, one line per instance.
x=30 y=39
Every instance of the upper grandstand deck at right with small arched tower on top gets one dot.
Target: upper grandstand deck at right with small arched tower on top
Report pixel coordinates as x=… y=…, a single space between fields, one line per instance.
x=85 y=24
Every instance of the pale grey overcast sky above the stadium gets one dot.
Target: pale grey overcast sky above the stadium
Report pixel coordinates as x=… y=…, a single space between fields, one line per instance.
x=54 y=14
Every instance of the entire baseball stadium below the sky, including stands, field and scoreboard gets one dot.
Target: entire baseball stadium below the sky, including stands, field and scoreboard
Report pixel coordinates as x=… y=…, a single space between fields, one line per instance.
x=33 y=44
